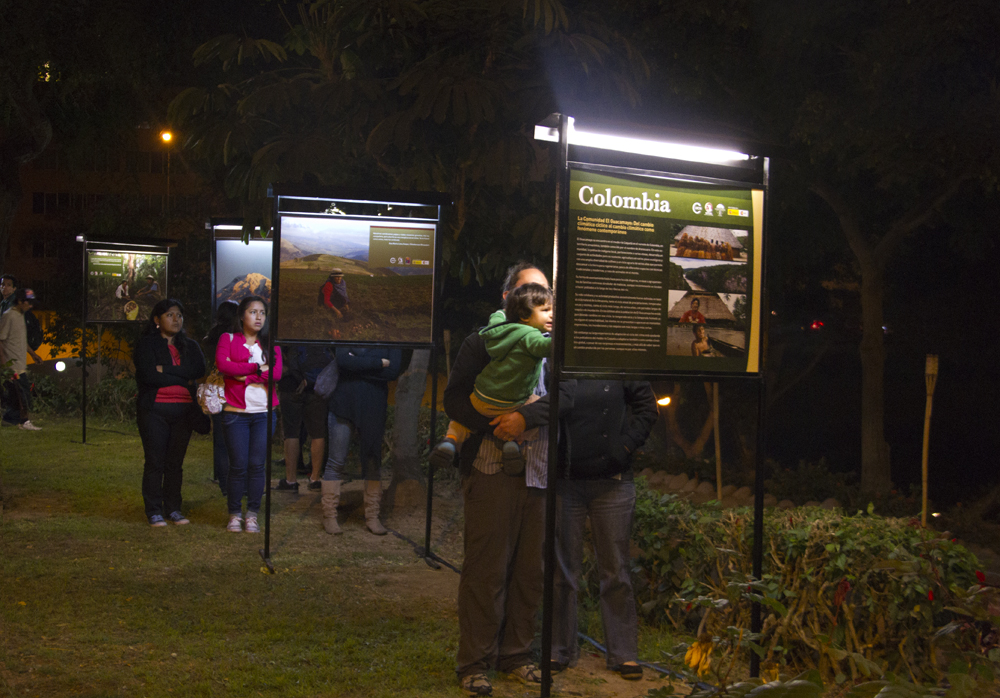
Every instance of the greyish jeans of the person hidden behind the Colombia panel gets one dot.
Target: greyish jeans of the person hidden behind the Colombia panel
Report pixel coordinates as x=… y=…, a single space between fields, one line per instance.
x=610 y=504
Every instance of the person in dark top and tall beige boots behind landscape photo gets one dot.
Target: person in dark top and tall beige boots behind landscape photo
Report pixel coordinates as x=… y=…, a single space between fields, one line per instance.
x=359 y=401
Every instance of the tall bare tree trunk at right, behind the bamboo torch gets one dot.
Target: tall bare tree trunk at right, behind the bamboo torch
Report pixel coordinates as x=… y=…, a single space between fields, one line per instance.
x=876 y=474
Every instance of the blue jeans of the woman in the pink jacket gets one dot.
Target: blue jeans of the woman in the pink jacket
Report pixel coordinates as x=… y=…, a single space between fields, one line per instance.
x=246 y=443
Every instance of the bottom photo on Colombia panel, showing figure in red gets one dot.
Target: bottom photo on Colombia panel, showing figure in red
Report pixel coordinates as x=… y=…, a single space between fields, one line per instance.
x=706 y=324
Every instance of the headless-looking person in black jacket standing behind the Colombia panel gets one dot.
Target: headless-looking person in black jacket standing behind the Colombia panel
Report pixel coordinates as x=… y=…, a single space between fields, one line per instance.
x=608 y=421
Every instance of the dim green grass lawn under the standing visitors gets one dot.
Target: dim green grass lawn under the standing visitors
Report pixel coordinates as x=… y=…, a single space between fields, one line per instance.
x=95 y=602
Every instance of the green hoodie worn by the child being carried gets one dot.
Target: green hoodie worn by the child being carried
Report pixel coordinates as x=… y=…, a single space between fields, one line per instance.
x=516 y=351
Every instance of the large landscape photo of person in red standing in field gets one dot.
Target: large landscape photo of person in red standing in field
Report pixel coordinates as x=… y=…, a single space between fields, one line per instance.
x=355 y=279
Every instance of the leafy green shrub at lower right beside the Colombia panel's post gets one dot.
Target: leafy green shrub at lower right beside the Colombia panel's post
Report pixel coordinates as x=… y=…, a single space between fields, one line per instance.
x=832 y=586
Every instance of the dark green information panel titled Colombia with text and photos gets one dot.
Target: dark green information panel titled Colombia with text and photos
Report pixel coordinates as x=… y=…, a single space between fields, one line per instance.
x=664 y=274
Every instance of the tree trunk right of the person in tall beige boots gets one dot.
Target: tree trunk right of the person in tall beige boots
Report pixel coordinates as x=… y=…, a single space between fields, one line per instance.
x=407 y=489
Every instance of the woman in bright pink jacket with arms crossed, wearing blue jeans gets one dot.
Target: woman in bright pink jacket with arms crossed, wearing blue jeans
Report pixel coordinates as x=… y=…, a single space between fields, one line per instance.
x=241 y=357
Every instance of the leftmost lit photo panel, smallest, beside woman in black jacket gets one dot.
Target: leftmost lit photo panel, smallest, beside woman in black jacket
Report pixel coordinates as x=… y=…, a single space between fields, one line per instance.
x=123 y=286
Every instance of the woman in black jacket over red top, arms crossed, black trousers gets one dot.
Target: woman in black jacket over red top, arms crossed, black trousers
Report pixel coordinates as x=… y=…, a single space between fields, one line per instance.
x=167 y=365
